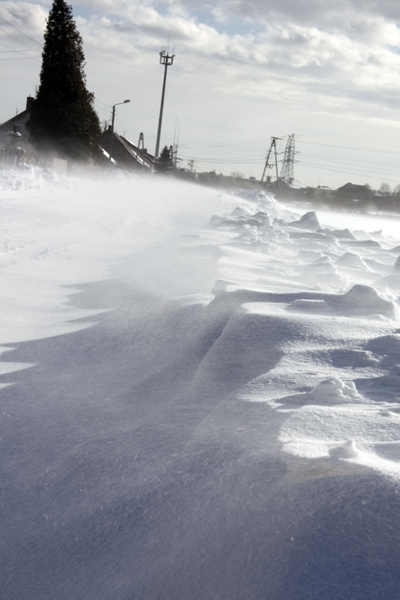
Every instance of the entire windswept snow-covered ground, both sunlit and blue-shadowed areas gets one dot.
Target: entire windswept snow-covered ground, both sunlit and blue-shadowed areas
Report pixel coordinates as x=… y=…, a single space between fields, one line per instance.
x=199 y=395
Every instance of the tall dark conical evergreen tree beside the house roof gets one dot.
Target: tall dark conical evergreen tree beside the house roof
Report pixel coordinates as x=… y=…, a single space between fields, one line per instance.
x=63 y=118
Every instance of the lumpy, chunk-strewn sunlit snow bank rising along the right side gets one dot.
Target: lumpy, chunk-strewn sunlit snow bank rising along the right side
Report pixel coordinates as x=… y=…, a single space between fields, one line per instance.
x=305 y=274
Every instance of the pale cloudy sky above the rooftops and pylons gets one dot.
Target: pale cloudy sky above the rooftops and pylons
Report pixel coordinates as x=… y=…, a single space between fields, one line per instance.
x=244 y=70
